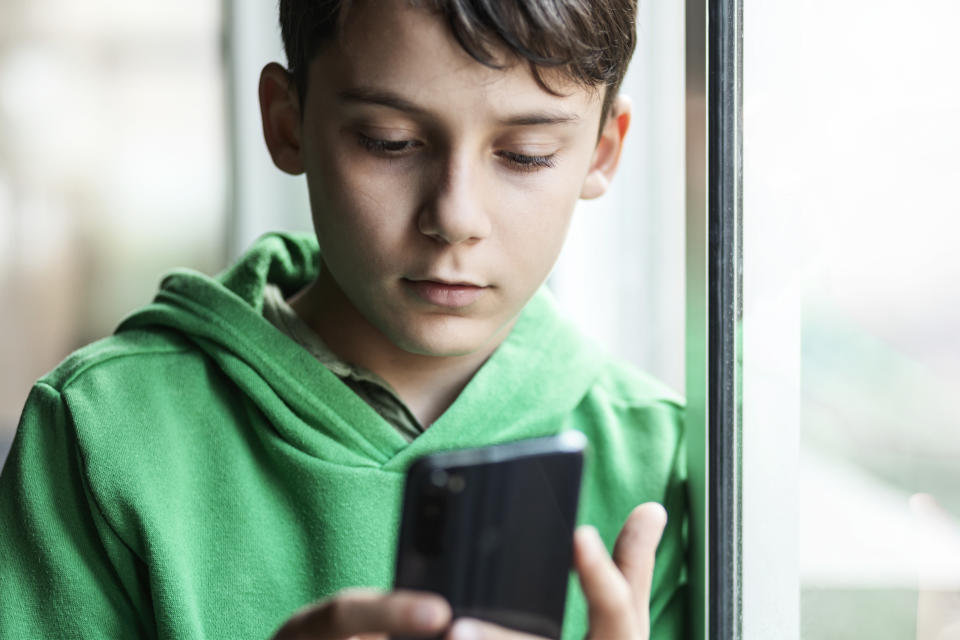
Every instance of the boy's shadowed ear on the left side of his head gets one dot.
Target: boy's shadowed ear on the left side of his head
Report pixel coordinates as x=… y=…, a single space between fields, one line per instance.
x=280 y=112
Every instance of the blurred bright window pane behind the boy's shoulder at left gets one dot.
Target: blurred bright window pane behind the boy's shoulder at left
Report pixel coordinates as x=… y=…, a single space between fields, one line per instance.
x=112 y=170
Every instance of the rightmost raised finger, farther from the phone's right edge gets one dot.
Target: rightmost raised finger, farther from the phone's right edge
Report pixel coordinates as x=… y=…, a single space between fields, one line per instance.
x=635 y=550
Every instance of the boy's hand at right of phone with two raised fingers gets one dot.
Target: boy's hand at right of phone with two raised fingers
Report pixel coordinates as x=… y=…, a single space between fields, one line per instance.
x=617 y=589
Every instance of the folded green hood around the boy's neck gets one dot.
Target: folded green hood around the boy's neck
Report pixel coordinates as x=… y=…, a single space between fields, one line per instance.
x=527 y=388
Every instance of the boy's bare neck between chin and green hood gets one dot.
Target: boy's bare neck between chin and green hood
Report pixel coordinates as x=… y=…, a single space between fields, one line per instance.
x=427 y=384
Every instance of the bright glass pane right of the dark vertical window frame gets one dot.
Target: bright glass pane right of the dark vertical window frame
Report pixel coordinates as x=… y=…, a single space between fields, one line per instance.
x=851 y=435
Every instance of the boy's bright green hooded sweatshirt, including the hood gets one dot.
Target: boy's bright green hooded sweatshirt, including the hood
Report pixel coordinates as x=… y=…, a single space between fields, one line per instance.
x=200 y=475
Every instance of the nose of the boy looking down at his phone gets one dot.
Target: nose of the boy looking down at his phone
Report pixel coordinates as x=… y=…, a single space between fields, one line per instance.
x=453 y=211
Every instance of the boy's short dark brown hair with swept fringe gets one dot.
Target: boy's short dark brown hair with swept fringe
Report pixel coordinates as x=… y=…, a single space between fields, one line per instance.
x=587 y=41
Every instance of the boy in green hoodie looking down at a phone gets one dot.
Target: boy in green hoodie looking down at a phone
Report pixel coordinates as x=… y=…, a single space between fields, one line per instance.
x=236 y=451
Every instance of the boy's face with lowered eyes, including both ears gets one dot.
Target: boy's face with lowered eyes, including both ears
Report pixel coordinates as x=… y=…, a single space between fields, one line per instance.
x=441 y=189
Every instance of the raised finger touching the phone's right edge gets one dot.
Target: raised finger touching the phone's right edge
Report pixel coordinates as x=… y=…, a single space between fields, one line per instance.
x=609 y=598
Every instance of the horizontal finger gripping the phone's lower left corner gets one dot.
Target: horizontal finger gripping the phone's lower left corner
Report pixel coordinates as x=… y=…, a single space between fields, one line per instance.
x=362 y=611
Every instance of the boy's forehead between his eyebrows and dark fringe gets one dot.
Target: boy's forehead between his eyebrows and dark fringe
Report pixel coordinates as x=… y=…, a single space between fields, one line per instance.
x=390 y=45
